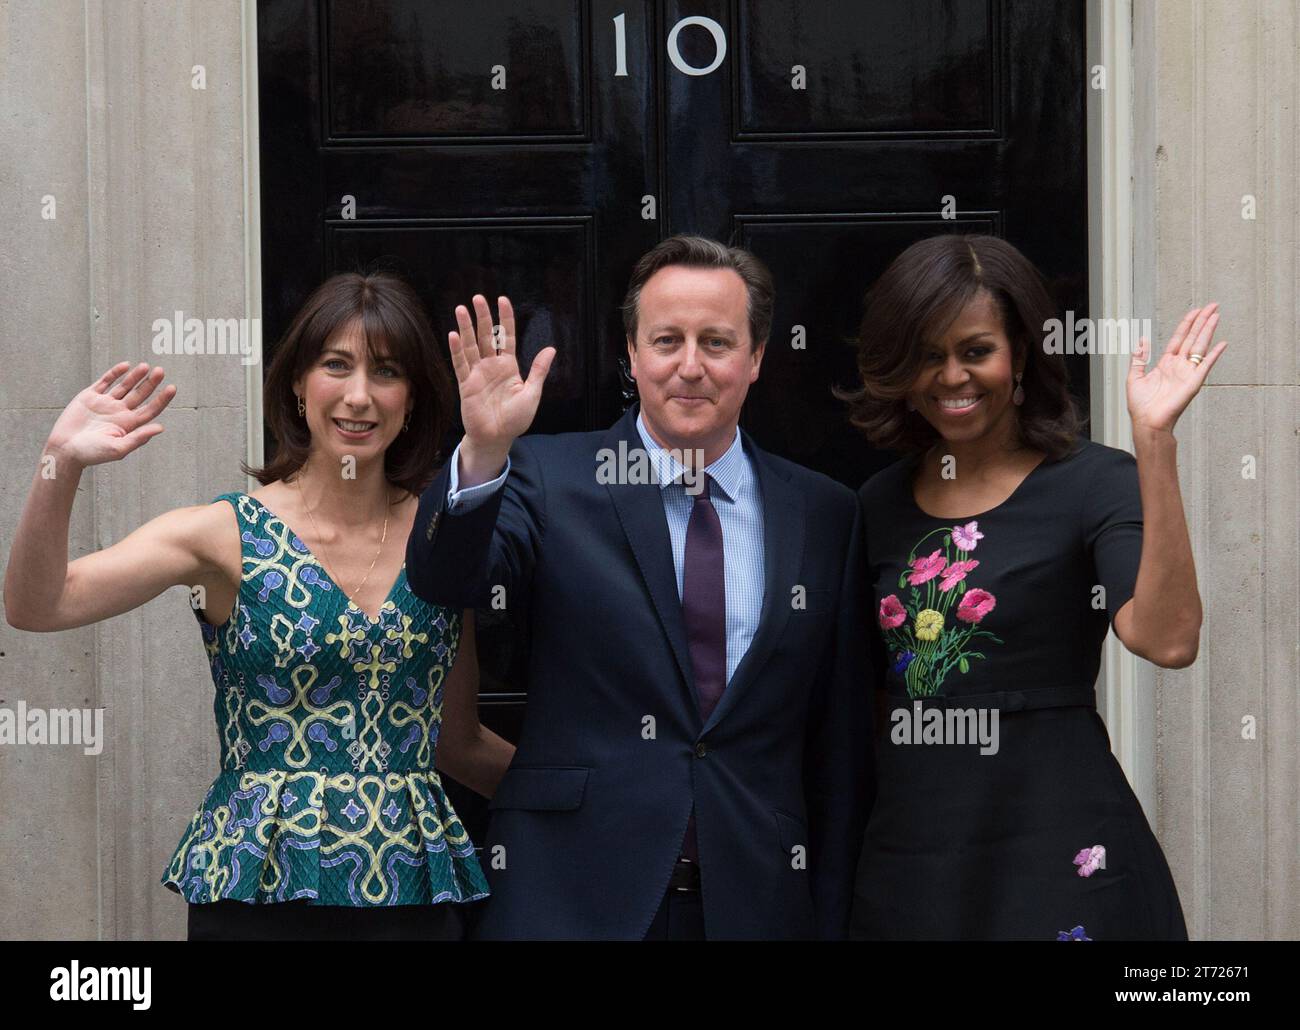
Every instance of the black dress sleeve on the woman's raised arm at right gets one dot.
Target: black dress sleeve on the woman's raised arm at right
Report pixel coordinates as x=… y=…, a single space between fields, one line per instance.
x=1112 y=523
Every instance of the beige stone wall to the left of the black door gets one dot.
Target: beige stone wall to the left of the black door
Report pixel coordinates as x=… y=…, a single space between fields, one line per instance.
x=97 y=110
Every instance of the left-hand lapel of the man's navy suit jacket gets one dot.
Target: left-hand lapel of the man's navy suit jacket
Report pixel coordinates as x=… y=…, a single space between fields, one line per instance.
x=640 y=510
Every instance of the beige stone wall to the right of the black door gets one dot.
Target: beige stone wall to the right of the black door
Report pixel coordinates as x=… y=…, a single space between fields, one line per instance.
x=1217 y=119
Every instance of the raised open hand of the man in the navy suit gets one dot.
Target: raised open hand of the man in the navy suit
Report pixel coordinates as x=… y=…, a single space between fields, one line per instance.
x=496 y=405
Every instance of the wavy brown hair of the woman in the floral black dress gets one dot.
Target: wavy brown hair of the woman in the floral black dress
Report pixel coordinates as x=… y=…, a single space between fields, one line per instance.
x=912 y=306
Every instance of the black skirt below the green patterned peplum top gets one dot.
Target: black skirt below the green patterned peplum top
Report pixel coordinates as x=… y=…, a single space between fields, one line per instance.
x=302 y=921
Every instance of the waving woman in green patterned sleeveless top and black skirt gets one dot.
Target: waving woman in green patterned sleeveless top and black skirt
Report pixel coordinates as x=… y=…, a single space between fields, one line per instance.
x=337 y=689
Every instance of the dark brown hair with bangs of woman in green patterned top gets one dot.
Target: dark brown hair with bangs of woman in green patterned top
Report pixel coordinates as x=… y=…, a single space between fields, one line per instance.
x=393 y=318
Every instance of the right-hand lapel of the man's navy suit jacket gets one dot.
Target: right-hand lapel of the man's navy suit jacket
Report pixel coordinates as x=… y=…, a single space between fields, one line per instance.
x=783 y=552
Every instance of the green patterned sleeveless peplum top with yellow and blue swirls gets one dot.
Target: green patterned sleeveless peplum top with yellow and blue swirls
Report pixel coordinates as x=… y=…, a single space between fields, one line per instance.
x=328 y=725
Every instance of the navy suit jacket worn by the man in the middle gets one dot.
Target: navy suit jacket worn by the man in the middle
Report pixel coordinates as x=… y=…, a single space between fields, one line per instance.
x=590 y=820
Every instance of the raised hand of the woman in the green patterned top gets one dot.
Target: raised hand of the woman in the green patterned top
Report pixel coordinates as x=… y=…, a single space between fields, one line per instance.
x=112 y=417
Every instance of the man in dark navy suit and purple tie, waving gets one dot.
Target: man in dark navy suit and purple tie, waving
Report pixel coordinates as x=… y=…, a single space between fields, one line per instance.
x=695 y=760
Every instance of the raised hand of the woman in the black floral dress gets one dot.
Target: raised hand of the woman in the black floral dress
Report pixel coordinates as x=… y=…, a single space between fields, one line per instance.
x=1159 y=395
